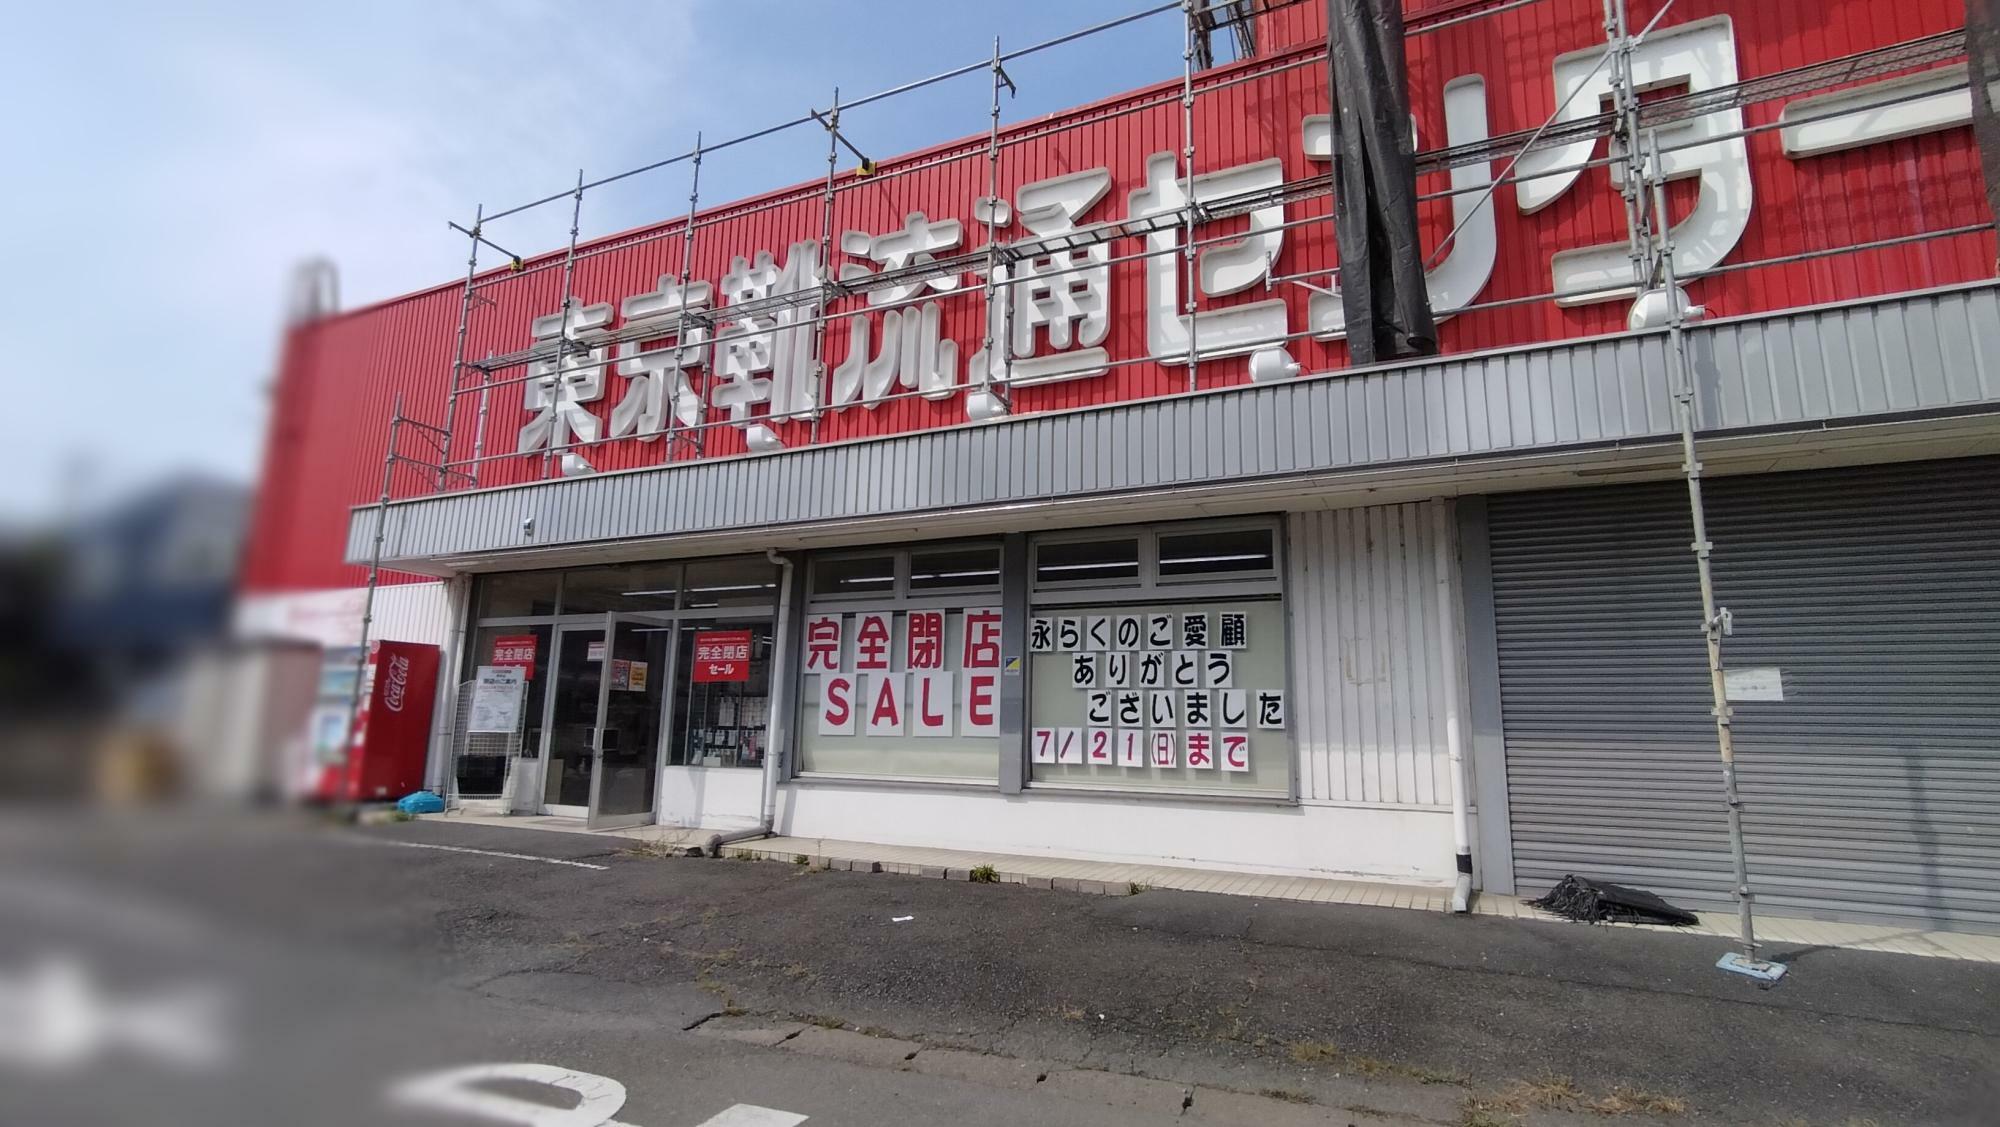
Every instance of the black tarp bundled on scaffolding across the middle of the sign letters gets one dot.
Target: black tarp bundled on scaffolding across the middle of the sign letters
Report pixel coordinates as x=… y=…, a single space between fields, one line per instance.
x=1375 y=185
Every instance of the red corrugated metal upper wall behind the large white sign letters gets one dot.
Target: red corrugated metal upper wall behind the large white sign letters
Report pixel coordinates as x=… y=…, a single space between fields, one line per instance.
x=343 y=375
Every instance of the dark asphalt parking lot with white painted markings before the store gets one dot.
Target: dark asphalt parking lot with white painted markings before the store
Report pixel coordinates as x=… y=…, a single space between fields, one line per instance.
x=349 y=960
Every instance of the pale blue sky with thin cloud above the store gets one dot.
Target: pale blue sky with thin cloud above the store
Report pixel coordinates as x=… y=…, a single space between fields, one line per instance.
x=177 y=161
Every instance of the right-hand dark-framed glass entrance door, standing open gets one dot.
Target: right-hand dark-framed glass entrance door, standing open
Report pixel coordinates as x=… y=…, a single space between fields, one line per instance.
x=635 y=676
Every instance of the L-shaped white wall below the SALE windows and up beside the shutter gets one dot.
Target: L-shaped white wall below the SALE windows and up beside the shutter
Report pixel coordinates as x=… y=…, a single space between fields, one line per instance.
x=1369 y=742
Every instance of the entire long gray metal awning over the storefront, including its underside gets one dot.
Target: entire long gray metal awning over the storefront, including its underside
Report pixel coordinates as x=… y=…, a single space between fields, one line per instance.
x=1921 y=365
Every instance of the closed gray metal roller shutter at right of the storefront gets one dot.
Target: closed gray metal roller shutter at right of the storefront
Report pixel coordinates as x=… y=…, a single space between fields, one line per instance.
x=1871 y=792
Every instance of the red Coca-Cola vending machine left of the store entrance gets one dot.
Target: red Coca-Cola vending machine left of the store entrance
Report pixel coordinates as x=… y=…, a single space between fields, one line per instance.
x=385 y=754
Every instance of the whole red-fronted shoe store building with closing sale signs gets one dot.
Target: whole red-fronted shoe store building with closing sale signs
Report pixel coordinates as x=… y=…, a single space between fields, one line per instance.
x=1103 y=551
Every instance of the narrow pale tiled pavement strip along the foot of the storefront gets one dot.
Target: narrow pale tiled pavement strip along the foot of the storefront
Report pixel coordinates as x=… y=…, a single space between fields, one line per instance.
x=1111 y=878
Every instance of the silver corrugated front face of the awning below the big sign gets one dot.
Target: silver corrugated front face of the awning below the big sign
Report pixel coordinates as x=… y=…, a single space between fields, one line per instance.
x=1901 y=355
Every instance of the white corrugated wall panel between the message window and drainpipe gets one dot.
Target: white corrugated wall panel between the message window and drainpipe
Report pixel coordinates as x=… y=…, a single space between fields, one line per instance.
x=1367 y=664
